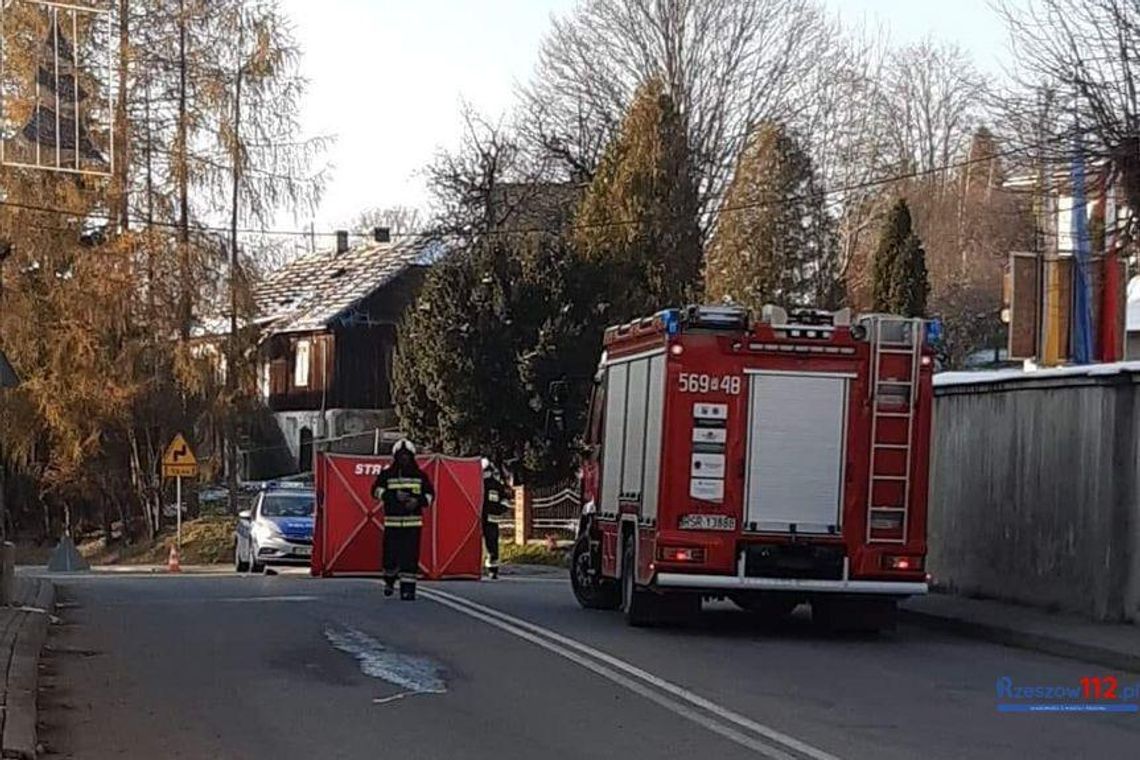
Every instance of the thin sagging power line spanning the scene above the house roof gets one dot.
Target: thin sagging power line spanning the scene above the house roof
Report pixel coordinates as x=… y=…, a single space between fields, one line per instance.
x=604 y=225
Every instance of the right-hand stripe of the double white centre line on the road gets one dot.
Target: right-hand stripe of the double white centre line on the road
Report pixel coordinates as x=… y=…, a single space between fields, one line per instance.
x=670 y=688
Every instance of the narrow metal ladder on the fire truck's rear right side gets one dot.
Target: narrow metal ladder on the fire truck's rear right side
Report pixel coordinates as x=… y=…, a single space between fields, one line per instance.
x=897 y=345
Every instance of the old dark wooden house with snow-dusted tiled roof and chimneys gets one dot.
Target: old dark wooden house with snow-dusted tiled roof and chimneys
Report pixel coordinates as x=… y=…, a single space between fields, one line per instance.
x=329 y=340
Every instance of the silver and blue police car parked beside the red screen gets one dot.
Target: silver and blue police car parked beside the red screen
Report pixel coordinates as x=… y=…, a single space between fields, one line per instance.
x=278 y=530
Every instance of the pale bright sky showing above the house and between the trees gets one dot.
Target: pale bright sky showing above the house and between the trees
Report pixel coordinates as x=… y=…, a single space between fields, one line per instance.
x=388 y=78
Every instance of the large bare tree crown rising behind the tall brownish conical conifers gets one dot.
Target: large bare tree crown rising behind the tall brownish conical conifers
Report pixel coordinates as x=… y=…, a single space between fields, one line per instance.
x=729 y=64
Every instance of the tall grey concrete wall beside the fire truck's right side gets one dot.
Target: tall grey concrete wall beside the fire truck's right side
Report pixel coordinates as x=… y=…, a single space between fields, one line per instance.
x=1035 y=491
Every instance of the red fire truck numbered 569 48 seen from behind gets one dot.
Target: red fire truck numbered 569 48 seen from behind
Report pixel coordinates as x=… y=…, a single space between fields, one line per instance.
x=772 y=463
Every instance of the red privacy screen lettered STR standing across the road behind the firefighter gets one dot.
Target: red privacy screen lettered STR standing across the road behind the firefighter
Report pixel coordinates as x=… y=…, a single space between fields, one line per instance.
x=347 y=538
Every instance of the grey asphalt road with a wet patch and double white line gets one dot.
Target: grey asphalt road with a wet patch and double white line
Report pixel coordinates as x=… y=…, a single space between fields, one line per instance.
x=226 y=667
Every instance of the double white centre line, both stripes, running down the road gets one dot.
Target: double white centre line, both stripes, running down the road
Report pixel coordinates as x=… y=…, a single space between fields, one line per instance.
x=624 y=674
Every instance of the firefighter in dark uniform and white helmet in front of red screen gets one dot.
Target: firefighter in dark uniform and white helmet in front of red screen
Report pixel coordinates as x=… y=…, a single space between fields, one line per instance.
x=404 y=492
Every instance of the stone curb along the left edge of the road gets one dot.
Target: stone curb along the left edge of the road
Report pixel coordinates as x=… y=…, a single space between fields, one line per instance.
x=20 y=739
